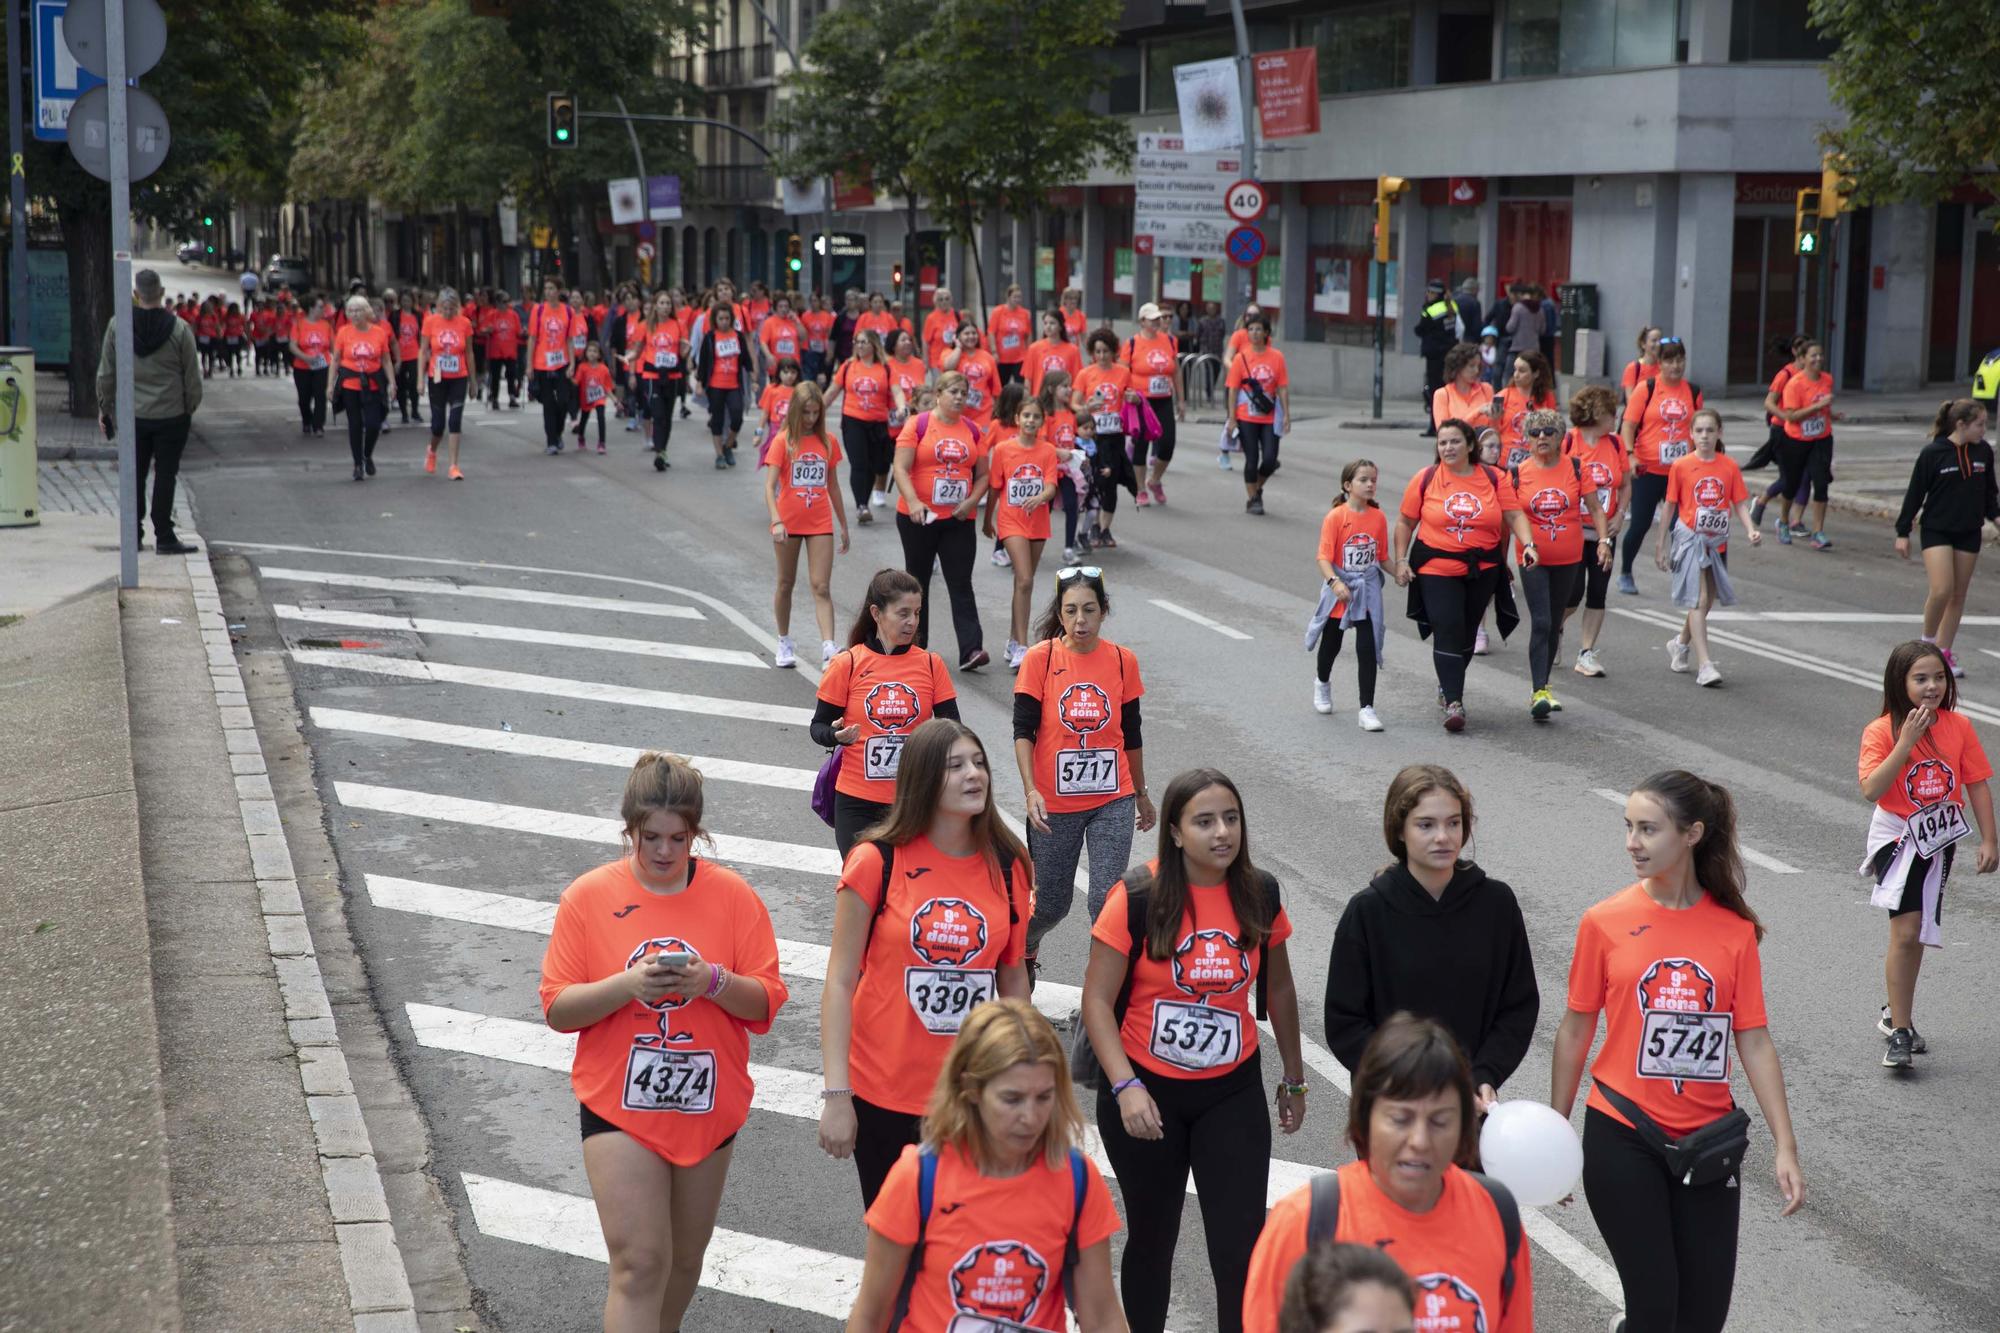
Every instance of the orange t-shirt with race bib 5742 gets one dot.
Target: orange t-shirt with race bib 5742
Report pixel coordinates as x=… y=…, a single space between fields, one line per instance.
x=1675 y=990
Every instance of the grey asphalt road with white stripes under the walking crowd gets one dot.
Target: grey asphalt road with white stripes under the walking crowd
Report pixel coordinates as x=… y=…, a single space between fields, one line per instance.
x=461 y=802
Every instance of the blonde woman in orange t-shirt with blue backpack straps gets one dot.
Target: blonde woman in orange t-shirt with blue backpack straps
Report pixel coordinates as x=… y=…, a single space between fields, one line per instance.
x=997 y=1212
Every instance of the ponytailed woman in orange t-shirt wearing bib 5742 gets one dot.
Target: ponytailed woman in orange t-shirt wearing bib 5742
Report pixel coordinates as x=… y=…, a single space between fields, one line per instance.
x=1673 y=966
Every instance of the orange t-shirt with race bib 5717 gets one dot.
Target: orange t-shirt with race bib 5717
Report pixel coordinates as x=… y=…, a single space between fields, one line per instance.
x=1079 y=748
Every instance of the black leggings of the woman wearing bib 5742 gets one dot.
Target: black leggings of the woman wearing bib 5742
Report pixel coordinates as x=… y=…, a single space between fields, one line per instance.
x=1675 y=1246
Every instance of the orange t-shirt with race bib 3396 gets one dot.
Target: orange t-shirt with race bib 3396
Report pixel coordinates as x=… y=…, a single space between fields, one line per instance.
x=933 y=958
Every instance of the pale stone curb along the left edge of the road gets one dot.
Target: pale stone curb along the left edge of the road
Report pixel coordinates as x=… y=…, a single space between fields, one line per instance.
x=379 y=1284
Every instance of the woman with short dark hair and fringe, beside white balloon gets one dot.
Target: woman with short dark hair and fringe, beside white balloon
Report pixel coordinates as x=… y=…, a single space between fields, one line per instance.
x=1413 y=1196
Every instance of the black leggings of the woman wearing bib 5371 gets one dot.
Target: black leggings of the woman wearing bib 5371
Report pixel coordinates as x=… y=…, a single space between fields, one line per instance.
x=1221 y=1130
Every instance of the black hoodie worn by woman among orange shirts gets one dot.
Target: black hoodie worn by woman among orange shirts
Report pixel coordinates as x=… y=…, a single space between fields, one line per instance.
x=1461 y=960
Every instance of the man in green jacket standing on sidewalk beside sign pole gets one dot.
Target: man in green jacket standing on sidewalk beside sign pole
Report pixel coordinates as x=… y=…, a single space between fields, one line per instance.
x=167 y=387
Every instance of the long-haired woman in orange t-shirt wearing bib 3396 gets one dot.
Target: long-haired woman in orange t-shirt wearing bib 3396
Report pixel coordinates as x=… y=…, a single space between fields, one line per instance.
x=915 y=954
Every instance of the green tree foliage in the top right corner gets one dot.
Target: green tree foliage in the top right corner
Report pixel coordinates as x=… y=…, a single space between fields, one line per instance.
x=1915 y=79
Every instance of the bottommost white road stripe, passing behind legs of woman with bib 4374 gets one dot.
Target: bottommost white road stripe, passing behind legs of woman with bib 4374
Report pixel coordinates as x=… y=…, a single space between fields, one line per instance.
x=737 y=1264
